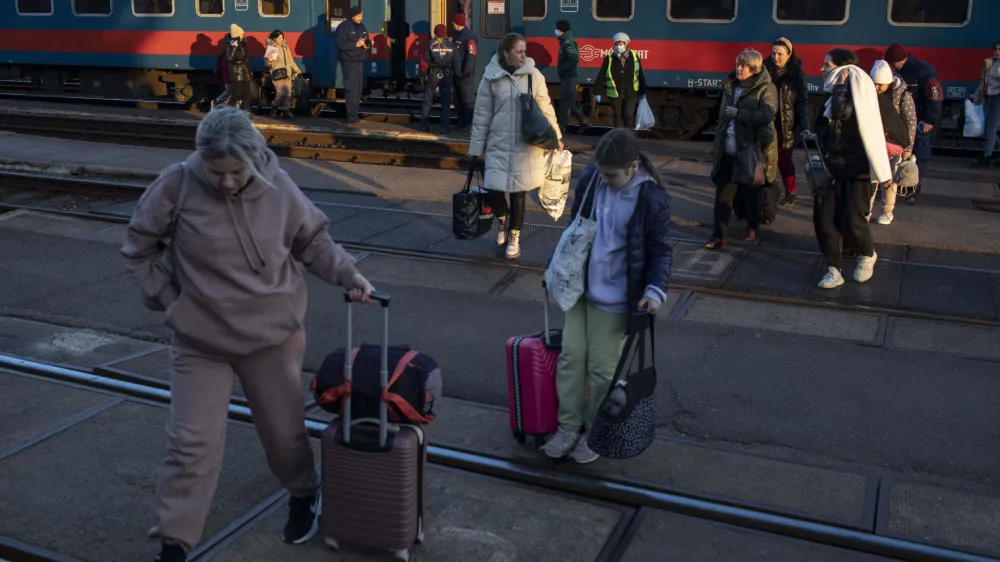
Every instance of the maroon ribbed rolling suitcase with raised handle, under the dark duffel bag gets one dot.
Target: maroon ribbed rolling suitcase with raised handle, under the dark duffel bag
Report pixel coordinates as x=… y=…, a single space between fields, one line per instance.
x=374 y=473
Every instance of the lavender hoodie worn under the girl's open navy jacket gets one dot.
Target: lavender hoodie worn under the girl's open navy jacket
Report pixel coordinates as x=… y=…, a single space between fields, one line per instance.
x=607 y=281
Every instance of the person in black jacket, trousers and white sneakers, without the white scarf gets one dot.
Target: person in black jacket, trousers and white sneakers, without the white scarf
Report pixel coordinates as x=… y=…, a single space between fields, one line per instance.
x=840 y=208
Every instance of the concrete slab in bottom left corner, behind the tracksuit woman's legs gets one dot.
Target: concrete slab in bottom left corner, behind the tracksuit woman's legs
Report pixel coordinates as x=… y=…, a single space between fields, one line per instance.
x=88 y=491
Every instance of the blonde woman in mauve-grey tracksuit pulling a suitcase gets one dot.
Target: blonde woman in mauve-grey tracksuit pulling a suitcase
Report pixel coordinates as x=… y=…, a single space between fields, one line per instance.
x=238 y=309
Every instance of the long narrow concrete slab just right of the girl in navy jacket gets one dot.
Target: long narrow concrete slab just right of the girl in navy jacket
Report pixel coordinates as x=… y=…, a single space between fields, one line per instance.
x=799 y=320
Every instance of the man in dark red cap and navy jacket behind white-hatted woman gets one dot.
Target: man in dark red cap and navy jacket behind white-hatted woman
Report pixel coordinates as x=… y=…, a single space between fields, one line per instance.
x=928 y=96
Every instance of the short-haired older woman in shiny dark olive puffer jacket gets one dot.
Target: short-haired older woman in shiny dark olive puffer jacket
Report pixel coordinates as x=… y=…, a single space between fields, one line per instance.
x=746 y=122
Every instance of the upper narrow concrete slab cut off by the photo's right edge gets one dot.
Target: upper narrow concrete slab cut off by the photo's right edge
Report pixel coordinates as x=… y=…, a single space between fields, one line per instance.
x=938 y=337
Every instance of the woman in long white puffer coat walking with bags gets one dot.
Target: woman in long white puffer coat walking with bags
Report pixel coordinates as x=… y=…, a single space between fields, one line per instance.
x=512 y=166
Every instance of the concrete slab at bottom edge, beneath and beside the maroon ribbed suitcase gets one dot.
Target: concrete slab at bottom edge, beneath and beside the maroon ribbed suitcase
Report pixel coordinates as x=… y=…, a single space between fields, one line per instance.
x=471 y=517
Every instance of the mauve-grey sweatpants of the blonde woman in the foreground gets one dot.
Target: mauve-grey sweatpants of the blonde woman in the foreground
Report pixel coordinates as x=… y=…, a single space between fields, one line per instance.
x=200 y=386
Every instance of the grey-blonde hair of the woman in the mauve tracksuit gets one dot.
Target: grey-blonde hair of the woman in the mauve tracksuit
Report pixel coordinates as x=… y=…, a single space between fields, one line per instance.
x=227 y=131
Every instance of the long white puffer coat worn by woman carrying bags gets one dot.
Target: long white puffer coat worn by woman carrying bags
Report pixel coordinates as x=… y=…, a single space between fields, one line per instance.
x=511 y=164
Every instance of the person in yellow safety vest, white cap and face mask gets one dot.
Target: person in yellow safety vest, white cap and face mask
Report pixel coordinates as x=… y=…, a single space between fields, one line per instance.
x=621 y=79
